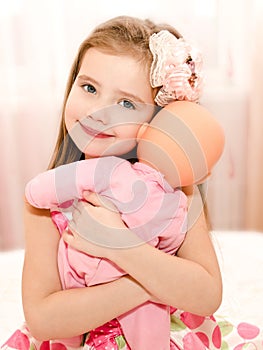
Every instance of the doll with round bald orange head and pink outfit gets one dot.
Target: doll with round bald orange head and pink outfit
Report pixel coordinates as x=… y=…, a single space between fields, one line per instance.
x=149 y=201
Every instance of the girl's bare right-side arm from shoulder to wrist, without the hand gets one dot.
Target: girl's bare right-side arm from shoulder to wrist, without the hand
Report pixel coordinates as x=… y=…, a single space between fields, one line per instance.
x=191 y=280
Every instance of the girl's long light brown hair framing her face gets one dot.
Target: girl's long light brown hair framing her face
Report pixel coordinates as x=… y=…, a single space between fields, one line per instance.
x=122 y=35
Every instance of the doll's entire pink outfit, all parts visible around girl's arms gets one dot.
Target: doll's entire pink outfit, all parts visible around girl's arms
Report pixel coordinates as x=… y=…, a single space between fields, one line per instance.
x=160 y=211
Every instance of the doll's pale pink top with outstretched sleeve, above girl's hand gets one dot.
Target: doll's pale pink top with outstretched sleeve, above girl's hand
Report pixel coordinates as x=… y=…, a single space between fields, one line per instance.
x=148 y=205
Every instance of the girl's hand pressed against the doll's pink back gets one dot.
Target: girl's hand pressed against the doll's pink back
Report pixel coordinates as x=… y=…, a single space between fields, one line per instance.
x=97 y=228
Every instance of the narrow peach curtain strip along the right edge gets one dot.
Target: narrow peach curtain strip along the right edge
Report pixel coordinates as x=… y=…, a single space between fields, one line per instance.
x=254 y=195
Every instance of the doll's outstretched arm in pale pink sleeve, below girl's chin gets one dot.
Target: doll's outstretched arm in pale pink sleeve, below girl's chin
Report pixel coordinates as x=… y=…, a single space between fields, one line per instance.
x=66 y=182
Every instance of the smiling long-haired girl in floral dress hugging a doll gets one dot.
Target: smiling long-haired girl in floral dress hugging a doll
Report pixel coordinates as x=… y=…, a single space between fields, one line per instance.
x=112 y=68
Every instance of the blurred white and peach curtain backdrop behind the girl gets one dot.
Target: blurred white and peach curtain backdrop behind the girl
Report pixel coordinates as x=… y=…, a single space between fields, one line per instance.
x=38 y=41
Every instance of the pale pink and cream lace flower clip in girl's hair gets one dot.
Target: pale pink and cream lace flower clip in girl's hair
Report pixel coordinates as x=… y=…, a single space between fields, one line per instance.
x=176 y=68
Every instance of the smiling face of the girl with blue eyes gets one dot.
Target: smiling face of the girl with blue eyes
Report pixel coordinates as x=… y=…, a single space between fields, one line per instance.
x=109 y=100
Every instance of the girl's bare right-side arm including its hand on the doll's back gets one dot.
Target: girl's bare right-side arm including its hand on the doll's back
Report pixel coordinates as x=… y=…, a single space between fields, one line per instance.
x=190 y=281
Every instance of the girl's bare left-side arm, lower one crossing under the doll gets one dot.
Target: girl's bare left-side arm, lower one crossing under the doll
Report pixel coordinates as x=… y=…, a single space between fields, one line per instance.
x=54 y=313
